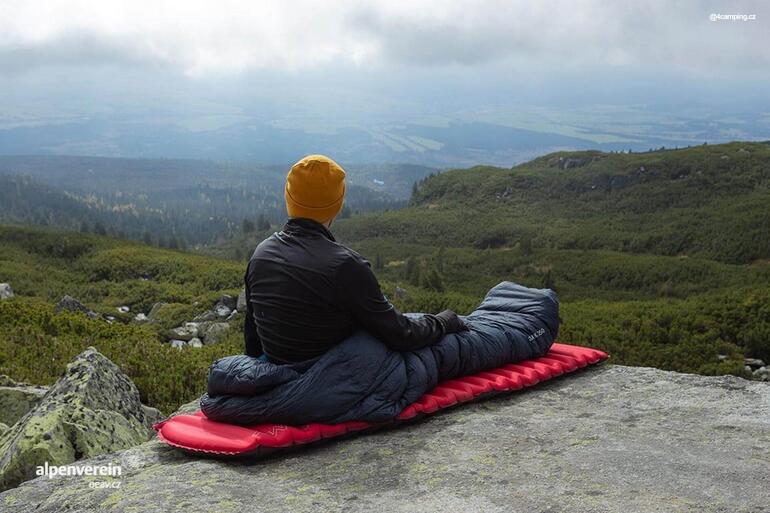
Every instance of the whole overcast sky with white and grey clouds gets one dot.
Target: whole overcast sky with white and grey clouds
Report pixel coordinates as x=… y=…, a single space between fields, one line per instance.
x=412 y=50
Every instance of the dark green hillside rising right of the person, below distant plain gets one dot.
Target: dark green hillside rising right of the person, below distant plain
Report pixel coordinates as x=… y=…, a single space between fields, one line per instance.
x=707 y=201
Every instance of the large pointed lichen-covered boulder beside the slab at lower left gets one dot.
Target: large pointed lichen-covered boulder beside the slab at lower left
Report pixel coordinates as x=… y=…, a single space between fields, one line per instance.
x=93 y=409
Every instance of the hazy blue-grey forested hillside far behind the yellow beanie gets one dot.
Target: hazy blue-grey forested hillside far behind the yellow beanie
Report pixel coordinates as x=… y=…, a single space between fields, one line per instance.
x=172 y=203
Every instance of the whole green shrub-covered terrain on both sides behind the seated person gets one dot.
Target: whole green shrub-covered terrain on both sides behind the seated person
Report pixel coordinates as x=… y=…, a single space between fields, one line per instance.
x=660 y=258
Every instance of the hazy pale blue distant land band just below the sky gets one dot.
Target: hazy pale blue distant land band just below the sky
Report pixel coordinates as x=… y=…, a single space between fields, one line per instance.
x=449 y=142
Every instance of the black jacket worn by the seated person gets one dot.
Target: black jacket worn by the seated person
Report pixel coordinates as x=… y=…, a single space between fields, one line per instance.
x=306 y=293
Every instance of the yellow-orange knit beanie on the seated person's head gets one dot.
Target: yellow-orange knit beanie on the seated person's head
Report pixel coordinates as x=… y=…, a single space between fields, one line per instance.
x=315 y=188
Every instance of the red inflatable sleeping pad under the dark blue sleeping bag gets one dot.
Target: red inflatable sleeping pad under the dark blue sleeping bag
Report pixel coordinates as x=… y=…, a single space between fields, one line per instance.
x=196 y=433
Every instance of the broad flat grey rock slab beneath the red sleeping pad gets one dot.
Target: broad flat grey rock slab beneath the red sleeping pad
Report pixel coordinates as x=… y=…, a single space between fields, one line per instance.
x=607 y=439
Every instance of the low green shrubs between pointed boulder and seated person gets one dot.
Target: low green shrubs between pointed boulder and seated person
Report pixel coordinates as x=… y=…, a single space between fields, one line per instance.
x=37 y=345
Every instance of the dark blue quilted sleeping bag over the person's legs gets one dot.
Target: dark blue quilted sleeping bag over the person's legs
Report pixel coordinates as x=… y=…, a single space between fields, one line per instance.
x=362 y=379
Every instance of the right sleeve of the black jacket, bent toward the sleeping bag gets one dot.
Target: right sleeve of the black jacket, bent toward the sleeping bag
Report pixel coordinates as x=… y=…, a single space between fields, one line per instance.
x=360 y=292
